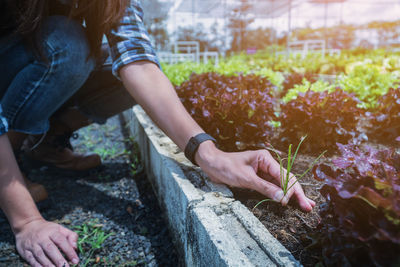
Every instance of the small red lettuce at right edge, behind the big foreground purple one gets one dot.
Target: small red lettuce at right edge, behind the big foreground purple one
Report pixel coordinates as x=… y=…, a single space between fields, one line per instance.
x=386 y=119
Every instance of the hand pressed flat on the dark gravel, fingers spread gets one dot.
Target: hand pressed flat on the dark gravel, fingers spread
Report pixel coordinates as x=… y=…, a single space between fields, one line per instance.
x=39 y=242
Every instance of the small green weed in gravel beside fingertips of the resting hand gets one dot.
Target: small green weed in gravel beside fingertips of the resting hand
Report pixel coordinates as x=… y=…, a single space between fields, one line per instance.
x=91 y=239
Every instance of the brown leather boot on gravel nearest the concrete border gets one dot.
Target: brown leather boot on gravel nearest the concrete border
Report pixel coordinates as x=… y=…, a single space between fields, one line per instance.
x=59 y=154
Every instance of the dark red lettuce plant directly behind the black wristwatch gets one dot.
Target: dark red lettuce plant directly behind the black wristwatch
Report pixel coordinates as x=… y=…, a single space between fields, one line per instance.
x=235 y=110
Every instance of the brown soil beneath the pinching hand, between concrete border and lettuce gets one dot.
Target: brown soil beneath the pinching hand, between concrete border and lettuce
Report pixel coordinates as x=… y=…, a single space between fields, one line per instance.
x=292 y=227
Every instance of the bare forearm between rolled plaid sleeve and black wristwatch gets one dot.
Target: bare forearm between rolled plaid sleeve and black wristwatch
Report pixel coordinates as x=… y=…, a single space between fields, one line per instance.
x=153 y=91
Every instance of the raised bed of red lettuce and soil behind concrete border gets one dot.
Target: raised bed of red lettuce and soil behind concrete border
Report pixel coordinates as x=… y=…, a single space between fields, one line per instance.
x=238 y=111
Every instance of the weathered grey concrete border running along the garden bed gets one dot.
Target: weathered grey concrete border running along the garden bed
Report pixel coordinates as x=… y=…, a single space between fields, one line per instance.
x=209 y=227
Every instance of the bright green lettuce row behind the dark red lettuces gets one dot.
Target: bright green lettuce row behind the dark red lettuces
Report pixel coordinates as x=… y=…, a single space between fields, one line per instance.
x=266 y=63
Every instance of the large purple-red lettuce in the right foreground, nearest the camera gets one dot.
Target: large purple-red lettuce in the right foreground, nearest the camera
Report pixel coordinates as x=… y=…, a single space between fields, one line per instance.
x=361 y=219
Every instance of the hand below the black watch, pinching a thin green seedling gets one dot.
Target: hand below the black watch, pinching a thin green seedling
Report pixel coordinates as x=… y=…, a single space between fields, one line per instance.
x=249 y=169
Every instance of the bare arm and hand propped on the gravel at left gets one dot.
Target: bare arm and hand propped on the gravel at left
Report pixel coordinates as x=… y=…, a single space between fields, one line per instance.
x=37 y=240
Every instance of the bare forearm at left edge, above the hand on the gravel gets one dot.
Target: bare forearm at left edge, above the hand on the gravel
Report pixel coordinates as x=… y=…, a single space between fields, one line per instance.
x=15 y=200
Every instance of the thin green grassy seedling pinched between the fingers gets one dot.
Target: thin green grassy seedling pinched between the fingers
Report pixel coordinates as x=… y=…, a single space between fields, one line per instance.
x=285 y=176
